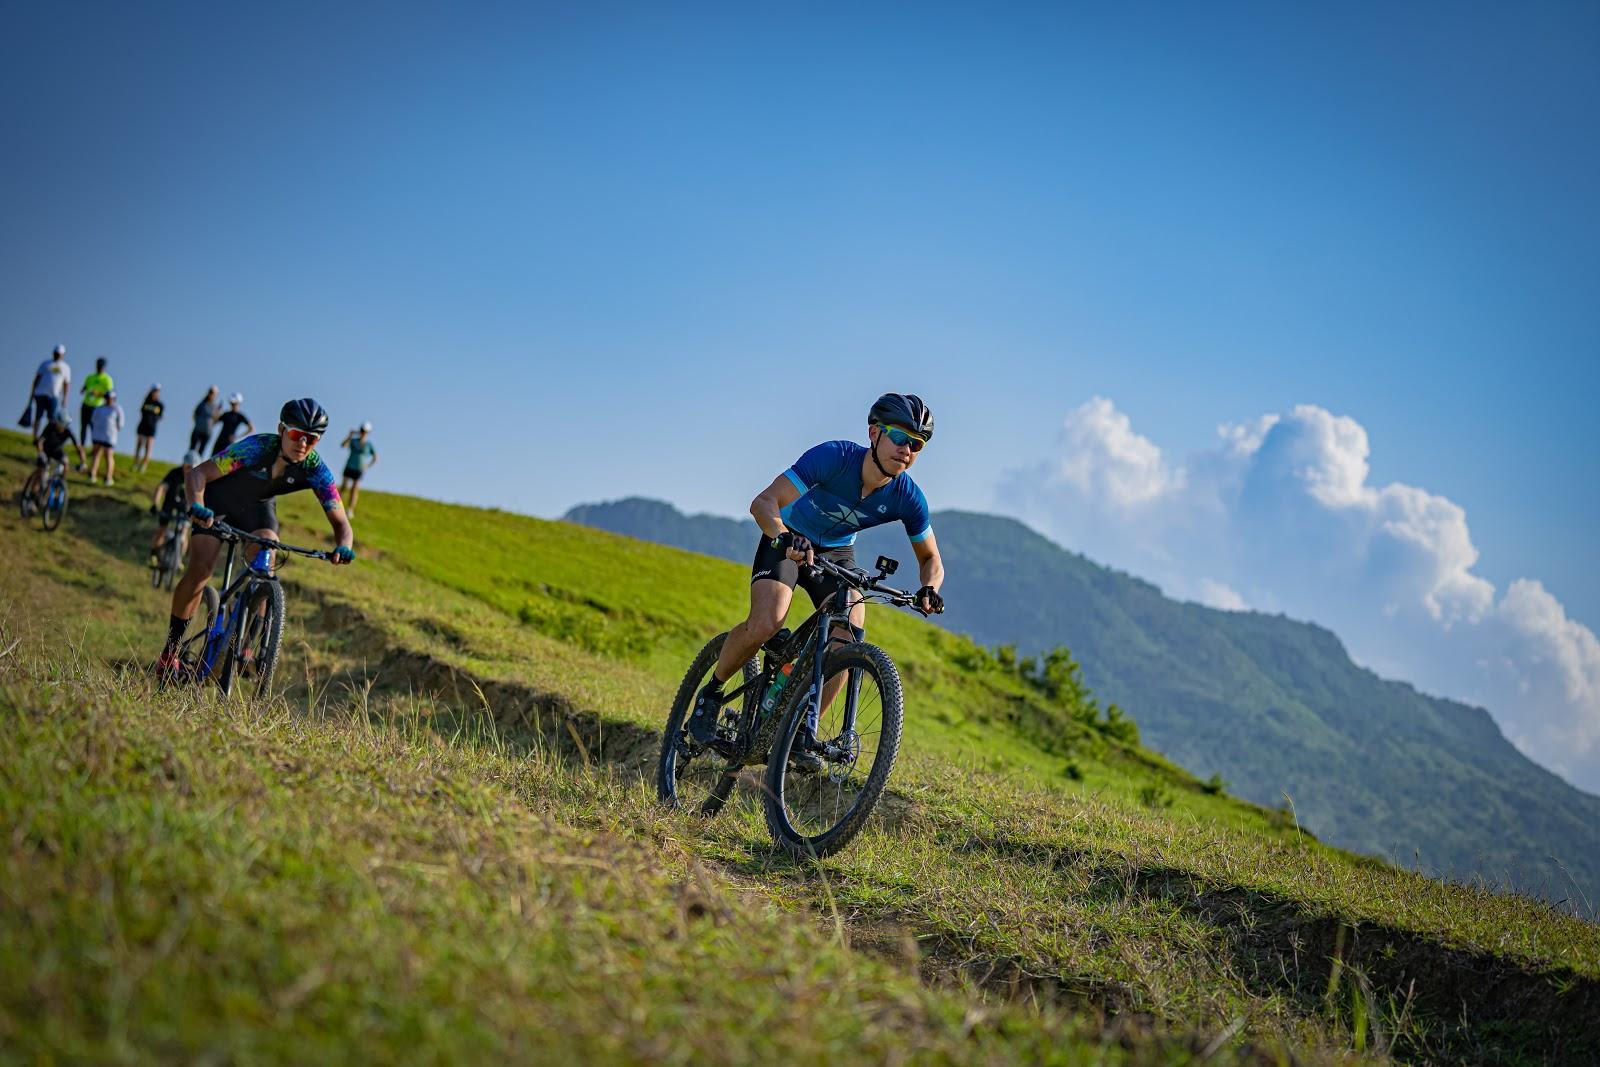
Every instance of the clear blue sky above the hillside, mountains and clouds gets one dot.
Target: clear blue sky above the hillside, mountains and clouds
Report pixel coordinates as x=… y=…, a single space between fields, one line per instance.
x=569 y=254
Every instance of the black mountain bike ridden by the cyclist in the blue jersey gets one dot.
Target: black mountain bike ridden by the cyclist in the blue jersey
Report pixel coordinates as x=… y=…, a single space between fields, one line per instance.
x=849 y=693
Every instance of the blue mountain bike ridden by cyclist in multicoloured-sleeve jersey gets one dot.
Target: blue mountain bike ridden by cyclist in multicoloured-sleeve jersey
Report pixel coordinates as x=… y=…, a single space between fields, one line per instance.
x=244 y=625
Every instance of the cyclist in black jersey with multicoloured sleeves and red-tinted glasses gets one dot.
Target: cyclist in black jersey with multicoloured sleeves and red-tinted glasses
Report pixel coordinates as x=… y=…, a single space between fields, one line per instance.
x=239 y=486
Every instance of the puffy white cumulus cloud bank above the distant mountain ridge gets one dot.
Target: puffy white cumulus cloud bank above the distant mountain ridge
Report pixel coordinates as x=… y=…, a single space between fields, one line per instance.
x=1281 y=516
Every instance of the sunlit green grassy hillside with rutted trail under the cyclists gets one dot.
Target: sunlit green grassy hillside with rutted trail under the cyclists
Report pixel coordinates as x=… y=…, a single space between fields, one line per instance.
x=441 y=839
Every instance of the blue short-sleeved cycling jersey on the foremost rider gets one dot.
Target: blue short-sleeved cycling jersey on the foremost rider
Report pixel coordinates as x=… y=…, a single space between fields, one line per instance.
x=831 y=508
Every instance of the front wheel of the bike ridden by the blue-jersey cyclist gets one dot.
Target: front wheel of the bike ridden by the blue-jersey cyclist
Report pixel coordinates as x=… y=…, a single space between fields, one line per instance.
x=815 y=812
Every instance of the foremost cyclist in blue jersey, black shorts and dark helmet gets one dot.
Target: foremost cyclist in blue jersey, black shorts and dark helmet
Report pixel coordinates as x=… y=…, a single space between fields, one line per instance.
x=815 y=510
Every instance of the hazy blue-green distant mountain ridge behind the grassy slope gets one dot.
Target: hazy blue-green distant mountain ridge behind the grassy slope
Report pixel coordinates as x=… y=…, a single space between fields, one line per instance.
x=1274 y=706
